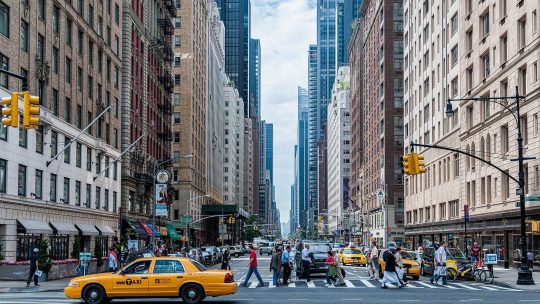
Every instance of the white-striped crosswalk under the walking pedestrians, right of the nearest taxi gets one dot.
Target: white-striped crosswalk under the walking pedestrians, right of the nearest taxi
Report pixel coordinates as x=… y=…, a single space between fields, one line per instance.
x=364 y=283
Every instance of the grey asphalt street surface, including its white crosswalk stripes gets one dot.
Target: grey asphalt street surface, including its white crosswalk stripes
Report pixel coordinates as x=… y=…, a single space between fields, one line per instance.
x=359 y=289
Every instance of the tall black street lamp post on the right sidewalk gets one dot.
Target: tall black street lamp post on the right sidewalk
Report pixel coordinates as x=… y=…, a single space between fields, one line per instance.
x=524 y=274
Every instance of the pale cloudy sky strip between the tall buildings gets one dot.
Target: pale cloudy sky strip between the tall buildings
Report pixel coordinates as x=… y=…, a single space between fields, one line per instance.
x=285 y=28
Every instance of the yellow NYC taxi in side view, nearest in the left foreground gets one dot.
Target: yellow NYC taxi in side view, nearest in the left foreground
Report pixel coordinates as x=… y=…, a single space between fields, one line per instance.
x=154 y=277
